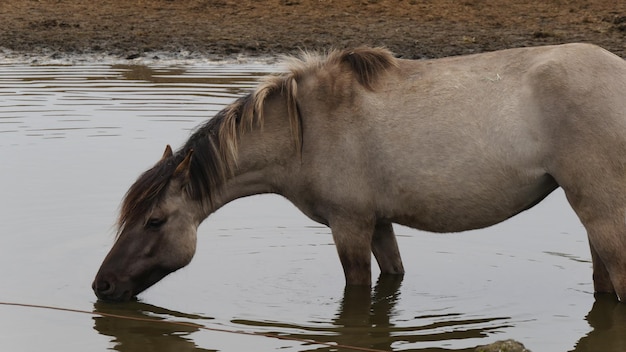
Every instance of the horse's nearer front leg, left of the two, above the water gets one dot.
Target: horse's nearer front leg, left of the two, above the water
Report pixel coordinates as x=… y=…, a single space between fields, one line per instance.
x=353 y=239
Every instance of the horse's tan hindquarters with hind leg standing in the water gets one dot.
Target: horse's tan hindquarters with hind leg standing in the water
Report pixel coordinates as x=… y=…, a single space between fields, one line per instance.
x=579 y=95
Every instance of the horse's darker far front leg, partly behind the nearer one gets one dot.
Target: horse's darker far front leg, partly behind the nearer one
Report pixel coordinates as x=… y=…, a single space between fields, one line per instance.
x=385 y=249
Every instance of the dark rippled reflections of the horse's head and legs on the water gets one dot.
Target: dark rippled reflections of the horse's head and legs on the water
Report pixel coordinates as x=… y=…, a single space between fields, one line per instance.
x=365 y=319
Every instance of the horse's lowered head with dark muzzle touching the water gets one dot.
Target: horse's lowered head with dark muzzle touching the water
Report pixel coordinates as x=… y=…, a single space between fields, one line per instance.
x=157 y=230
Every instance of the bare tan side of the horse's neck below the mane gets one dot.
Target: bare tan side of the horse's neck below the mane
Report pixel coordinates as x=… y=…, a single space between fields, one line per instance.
x=266 y=157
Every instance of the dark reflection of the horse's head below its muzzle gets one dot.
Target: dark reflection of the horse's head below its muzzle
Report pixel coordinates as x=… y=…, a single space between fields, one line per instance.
x=139 y=336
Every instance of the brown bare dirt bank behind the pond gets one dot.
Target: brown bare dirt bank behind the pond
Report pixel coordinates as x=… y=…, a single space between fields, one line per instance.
x=228 y=28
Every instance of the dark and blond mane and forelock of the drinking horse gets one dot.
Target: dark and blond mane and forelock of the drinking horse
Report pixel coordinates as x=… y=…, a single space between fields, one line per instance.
x=215 y=143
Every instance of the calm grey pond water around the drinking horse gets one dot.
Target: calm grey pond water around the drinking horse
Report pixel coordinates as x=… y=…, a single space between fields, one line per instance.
x=74 y=137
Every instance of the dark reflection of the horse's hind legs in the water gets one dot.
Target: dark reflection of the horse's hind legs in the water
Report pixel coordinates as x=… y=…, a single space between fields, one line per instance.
x=608 y=320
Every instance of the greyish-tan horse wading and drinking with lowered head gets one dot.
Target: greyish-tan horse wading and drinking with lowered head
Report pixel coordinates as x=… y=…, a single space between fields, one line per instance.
x=359 y=140
